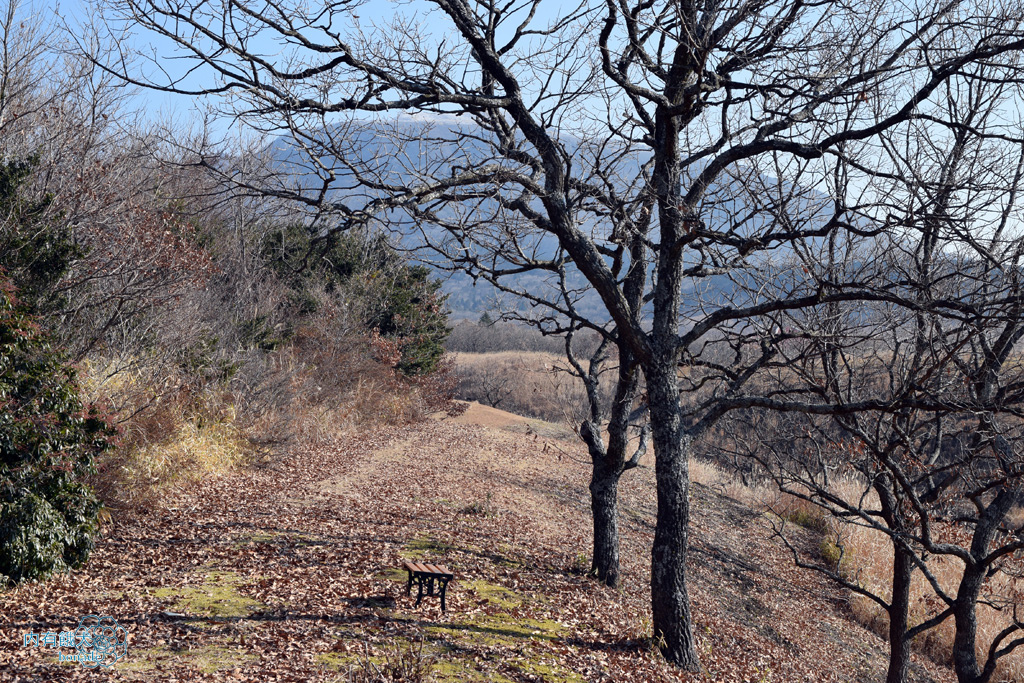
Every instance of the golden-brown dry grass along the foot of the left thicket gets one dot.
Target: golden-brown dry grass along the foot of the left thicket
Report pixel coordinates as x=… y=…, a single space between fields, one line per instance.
x=176 y=432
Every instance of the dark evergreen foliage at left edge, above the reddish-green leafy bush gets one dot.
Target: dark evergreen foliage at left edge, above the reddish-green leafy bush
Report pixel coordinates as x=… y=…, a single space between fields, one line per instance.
x=36 y=251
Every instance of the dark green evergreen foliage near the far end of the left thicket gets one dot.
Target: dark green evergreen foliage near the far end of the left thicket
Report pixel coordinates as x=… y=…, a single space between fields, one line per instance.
x=403 y=303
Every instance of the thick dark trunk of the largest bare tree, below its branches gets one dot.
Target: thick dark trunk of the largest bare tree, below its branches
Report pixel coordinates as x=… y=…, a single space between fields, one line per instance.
x=670 y=602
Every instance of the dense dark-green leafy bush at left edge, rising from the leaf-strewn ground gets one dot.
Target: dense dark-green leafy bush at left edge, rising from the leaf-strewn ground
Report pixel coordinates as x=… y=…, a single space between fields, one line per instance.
x=48 y=445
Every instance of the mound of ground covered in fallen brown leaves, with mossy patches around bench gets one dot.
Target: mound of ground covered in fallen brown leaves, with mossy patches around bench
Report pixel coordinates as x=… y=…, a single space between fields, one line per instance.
x=291 y=573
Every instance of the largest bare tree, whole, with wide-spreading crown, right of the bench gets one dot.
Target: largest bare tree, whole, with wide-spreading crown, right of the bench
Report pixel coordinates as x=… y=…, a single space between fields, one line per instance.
x=610 y=134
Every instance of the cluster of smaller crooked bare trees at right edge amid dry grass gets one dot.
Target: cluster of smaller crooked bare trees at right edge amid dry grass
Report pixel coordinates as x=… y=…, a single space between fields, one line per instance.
x=925 y=382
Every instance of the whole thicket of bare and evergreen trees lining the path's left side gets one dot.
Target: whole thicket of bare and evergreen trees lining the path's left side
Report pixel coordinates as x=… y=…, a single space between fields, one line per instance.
x=154 y=330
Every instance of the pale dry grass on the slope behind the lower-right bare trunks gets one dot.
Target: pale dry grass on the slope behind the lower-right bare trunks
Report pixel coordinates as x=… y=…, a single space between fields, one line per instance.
x=867 y=559
